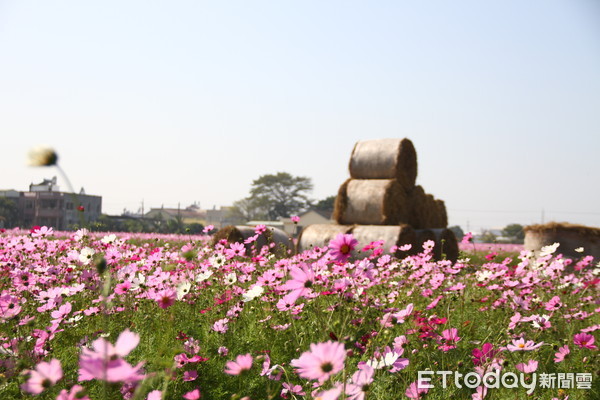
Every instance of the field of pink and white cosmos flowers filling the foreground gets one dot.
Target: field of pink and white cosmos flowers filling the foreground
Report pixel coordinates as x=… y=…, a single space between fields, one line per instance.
x=120 y=316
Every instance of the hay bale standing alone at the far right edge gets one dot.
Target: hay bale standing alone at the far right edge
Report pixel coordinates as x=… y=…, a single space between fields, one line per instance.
x=570 y=237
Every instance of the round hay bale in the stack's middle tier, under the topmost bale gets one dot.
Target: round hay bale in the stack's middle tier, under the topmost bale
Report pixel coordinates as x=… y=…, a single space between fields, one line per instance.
x=371 y=202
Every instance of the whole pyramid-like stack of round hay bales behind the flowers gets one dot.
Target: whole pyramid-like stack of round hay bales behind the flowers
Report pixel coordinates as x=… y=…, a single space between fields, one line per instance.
x=380 y=201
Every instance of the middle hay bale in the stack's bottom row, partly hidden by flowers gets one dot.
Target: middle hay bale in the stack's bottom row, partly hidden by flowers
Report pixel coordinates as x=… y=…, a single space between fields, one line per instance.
x=391 y=235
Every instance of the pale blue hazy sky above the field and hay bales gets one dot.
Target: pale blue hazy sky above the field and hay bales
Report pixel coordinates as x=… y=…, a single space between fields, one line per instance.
x=181 y=101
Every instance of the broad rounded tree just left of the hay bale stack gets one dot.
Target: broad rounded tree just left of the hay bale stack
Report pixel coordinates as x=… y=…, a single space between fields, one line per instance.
x=281 y=194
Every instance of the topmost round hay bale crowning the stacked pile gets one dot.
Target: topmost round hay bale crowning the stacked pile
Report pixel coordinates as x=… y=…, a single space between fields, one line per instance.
x=385 y=159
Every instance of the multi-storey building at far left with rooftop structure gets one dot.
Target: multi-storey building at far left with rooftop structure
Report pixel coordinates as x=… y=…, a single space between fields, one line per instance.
x=45 y=204
